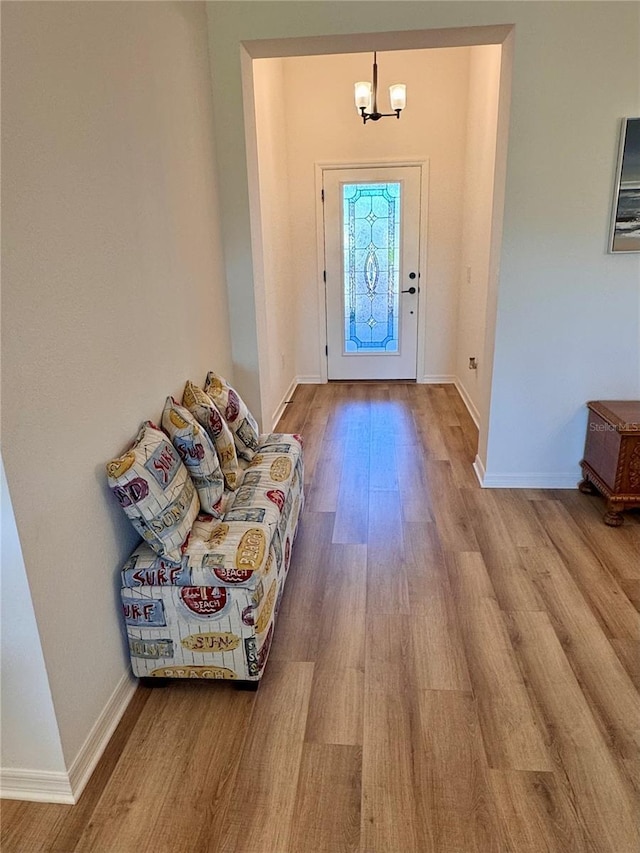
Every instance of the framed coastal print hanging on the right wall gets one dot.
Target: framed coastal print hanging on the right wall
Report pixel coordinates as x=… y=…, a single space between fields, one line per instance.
x=625 y=229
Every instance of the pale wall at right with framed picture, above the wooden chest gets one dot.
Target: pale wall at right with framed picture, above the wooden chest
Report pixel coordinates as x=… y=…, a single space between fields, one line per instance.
x=568 y=320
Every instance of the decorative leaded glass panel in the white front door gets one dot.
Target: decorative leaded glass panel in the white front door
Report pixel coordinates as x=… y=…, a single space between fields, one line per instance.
x=371 y=245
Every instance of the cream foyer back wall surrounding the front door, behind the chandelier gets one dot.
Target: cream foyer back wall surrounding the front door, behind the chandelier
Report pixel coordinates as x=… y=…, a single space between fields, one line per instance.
x=323 y=127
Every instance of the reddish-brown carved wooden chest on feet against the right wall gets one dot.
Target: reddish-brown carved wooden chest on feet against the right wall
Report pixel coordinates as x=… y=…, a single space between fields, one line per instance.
x=612 y=456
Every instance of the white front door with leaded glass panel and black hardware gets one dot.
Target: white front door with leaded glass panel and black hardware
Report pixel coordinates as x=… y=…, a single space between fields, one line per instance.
x=372 y=256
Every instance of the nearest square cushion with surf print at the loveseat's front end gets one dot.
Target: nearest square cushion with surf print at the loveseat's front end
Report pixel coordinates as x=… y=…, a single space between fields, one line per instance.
x=156 y=492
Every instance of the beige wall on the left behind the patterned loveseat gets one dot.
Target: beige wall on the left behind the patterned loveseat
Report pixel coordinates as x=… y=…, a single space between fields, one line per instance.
x=113 y=295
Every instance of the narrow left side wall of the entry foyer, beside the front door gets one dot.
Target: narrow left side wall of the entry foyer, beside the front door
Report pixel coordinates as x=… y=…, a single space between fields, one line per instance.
x=279 y=292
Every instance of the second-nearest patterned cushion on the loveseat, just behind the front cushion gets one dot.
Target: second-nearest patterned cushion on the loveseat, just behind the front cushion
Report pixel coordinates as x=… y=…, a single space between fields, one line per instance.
x=198 y=454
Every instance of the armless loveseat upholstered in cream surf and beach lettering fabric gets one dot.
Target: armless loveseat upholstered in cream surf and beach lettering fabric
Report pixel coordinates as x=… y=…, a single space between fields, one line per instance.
x=209 y=609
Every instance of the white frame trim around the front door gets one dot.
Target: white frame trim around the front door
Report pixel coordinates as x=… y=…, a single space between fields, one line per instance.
x=320 y=168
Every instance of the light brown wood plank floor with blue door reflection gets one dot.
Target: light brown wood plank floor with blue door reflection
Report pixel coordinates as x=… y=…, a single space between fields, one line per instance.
x=453 y=670
